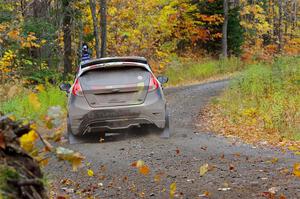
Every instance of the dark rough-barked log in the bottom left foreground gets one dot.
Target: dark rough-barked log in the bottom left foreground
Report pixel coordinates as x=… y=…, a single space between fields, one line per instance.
x=20 y=174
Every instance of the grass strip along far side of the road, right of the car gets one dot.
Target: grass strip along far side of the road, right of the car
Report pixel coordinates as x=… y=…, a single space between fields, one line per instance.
x=182 y=72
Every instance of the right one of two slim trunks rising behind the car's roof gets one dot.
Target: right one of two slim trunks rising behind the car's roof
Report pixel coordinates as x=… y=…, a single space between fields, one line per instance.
x=103 y=27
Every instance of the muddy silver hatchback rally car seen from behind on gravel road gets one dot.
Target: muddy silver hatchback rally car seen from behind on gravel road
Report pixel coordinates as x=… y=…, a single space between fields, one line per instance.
x=115 y=93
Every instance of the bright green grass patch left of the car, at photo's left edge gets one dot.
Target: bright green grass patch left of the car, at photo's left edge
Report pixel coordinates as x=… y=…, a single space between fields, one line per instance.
x=34 y=105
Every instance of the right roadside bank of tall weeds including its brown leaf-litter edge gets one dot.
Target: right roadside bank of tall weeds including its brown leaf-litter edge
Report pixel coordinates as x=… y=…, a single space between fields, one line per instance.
x=261 y=104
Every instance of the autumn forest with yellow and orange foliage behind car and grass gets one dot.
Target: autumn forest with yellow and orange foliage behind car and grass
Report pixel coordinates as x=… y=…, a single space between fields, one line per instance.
x=42 y=39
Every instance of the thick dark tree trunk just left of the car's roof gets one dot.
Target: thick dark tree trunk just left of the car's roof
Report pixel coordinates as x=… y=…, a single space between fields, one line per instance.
x=67 y=37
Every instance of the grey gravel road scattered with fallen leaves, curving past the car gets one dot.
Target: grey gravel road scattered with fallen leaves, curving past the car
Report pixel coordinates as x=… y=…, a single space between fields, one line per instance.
x=235 y=169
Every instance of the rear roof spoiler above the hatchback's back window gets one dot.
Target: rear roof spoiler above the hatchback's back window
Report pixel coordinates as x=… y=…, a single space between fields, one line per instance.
x=106 y=60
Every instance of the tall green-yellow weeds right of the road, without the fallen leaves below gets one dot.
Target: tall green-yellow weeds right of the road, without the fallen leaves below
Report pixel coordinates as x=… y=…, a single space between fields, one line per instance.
x=266 y=96
